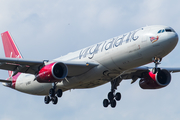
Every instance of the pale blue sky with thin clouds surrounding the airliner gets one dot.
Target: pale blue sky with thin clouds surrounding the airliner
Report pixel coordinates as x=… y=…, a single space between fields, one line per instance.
x=44 y=30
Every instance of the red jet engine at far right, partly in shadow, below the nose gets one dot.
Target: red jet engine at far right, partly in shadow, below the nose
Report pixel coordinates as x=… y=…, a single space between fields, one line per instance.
x=155 y=81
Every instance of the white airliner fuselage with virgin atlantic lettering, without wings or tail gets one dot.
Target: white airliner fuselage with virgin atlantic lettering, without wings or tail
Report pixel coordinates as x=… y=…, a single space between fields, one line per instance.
x=114 y=56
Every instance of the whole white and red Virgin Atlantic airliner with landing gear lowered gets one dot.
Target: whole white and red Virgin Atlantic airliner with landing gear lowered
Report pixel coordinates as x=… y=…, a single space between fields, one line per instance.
x=111 y=61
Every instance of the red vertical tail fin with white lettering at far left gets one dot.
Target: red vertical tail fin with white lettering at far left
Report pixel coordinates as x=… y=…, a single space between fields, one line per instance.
x=10 y=48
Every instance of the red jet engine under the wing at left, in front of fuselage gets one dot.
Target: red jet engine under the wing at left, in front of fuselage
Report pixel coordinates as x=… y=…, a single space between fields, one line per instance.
x=54 y=72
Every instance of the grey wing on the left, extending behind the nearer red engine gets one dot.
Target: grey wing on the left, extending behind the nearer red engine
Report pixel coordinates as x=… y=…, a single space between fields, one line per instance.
x=32 y=67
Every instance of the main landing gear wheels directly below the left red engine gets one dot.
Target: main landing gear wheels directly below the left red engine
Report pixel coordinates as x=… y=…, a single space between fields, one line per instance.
x=53 y=95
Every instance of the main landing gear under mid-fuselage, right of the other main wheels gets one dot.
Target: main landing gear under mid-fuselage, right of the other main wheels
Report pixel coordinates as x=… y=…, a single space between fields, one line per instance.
x=112 y=96
